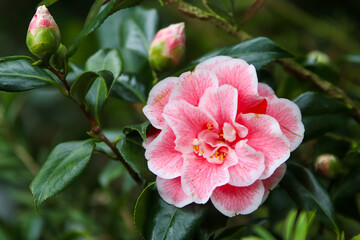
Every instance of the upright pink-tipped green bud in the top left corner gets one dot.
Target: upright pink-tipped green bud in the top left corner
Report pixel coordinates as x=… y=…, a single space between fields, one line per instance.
x=43 y=36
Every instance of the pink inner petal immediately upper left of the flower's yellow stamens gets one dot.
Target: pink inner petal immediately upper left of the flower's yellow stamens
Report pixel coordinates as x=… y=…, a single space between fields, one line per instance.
x=187 y=122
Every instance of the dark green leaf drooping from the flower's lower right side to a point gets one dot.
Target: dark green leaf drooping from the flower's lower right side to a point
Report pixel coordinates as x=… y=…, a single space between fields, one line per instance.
x=306 y=191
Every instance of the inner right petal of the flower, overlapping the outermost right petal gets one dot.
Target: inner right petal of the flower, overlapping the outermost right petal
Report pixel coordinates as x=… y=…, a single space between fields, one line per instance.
x=265 y=136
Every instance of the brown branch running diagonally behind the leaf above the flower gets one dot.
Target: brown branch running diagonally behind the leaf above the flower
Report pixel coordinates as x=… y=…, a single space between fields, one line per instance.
x=289 y=65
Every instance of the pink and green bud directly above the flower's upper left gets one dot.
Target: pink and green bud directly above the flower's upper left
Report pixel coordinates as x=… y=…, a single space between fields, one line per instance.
x=168 y=47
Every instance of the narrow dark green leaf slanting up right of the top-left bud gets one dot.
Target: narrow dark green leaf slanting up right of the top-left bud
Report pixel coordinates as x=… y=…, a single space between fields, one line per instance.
x=90 y=27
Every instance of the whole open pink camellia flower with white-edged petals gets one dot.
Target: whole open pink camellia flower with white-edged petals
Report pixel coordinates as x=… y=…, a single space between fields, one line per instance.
x=220 y=135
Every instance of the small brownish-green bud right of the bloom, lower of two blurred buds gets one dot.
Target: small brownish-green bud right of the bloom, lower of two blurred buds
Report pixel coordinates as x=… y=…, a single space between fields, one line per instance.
x=328 y=165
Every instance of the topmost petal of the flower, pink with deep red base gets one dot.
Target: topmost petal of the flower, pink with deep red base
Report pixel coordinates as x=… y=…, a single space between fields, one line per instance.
x=240 y=75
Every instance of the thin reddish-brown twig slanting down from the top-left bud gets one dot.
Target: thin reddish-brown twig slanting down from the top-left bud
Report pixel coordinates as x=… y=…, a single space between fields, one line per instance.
x=96 y=129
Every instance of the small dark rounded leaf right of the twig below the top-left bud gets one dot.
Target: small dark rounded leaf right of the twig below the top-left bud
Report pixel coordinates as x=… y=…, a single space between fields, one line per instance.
x=82 y=85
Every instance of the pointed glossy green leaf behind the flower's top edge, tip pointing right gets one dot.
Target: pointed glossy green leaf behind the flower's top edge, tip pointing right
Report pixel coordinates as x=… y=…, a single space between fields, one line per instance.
x=258 y=51
